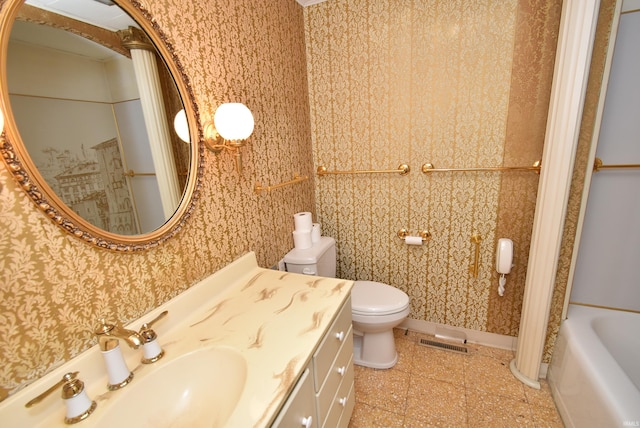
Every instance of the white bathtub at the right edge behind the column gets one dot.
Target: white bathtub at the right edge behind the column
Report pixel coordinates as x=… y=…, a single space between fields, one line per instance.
x=595 y=369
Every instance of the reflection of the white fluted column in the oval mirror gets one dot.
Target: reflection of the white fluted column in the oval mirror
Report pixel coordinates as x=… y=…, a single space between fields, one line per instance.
x=148 y=80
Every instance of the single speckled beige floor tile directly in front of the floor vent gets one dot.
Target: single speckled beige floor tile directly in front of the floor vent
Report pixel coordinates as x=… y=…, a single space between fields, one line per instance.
x=438 y=364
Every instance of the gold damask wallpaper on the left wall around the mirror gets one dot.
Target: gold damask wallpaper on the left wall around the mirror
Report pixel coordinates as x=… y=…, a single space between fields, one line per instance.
x=53 y=287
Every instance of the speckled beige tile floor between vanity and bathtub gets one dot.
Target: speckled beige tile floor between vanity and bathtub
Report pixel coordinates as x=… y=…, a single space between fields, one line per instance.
x=430 y=387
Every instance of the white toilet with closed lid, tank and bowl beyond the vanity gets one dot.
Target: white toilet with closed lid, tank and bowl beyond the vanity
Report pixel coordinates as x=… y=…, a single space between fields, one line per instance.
x=376 y=308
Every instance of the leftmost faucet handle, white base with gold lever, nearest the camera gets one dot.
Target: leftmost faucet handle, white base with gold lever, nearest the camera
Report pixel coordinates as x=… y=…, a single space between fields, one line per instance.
x=79 y=406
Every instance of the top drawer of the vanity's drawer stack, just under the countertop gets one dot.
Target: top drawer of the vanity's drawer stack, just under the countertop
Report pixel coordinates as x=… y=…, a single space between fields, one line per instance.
x=333 y=340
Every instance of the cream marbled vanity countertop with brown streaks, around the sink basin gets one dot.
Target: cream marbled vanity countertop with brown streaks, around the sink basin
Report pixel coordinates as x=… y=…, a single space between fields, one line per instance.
x=273 y=319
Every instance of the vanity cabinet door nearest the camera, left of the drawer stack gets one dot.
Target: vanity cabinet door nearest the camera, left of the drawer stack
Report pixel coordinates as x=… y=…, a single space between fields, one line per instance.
x=299 y=410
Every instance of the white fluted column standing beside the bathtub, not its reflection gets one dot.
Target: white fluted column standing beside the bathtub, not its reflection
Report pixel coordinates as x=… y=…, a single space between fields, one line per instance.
x=577 y=31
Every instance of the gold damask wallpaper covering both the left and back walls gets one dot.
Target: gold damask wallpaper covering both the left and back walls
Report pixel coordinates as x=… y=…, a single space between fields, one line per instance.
x=346 y=84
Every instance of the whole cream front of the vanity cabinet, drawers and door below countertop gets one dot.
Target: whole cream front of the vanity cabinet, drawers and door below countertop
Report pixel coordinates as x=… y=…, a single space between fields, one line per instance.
x=327 y=382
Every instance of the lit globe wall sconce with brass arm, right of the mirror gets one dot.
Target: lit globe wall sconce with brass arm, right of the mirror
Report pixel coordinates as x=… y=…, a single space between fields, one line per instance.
x=232 y=125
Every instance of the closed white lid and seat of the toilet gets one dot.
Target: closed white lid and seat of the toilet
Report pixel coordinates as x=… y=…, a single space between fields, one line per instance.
x=375 y=298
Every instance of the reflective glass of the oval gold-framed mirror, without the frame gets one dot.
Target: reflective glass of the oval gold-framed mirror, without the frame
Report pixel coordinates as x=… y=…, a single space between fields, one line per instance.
x=79 y=111
